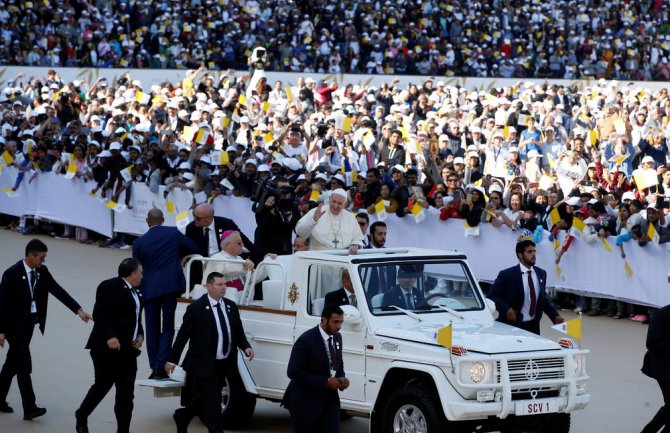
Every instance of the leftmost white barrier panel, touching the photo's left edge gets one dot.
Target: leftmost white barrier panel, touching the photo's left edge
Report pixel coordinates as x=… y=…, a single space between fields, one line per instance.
x=51 y=196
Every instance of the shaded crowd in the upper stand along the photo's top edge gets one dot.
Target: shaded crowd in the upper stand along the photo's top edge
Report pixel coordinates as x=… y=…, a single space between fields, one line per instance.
x=615 y=40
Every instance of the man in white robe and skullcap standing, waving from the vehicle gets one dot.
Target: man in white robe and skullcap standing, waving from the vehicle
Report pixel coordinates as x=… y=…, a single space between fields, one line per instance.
x=331 y=228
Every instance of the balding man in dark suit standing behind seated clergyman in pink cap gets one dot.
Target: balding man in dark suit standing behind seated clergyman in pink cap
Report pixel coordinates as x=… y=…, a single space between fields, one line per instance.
x=206 y=231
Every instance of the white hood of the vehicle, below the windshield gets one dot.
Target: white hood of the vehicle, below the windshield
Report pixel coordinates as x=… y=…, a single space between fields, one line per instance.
x=486 y=338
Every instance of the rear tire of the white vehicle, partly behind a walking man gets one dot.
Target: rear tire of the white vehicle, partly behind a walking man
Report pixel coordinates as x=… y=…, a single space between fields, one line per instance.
x=237 y=405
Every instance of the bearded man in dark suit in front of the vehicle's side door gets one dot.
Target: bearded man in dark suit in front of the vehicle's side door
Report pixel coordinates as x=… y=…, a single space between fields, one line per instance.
x=316 y=371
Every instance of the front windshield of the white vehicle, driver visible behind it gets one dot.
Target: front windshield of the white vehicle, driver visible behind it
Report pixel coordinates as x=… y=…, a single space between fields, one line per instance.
x=422 y=287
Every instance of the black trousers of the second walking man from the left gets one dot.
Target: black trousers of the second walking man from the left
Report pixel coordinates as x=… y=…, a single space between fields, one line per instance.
x=112 y=368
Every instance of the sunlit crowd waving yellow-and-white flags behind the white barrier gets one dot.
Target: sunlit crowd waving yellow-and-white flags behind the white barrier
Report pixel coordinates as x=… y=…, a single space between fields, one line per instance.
x=591 y=163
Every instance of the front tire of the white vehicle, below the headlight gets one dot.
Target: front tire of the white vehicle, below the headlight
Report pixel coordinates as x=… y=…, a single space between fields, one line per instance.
x=413 y=409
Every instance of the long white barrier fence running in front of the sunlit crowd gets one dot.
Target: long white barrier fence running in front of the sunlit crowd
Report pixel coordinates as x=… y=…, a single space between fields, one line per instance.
x=585 y=267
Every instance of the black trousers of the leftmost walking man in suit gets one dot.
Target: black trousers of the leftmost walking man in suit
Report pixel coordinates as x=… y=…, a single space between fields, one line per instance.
x=19 y=363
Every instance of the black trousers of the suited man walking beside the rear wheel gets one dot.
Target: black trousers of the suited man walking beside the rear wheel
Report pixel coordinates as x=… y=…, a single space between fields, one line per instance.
x=205 y=398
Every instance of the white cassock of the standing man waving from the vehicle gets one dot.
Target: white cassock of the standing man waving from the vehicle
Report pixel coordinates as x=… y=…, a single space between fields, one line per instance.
x=330 y=231
